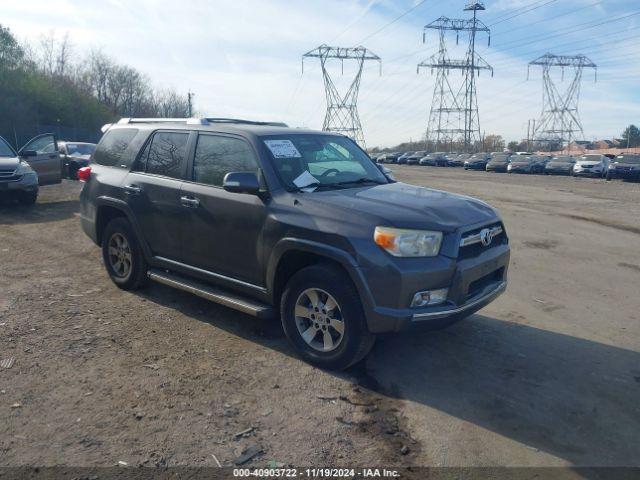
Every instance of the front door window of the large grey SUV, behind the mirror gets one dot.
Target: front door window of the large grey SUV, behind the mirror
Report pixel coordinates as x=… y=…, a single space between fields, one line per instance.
x=216 y=156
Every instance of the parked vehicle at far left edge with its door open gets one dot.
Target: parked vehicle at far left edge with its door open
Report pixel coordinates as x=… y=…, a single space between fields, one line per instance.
x=36 y=163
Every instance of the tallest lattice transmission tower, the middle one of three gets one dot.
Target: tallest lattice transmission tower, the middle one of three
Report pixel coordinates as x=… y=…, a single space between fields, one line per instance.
x=454 y=112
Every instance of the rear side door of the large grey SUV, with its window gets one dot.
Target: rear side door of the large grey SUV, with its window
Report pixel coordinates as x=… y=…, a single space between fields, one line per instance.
x=152 y=190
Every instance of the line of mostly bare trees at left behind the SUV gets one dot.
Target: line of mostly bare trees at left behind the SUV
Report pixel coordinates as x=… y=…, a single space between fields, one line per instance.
x=51 y=84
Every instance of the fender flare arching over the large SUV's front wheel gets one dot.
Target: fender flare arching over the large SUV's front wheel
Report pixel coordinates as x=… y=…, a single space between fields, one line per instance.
x=343 y=258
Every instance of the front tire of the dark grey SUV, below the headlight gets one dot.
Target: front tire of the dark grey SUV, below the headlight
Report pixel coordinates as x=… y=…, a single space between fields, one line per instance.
x=355 y=342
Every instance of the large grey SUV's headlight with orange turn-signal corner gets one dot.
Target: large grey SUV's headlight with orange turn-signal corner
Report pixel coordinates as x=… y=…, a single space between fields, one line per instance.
x=408 y=243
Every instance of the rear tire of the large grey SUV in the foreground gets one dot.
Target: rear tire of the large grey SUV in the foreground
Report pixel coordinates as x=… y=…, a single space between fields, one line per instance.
x=135 y=276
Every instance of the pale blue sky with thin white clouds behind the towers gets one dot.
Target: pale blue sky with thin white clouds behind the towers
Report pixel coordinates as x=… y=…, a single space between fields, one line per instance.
x=242 y=58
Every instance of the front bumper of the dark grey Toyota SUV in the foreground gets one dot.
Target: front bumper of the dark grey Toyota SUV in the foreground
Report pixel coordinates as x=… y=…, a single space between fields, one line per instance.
x=475 y=283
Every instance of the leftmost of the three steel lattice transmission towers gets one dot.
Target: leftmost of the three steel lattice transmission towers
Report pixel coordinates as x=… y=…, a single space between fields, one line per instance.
x=342 y=110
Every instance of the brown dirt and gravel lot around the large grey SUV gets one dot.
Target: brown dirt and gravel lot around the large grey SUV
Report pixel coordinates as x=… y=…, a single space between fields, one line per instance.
x=547 y=375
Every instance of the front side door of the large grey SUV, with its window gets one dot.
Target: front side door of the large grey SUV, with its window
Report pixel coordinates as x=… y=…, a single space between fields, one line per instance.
x=222 y=230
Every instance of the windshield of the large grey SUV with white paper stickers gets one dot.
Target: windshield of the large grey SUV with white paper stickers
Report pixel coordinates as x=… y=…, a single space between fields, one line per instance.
x=321 y=161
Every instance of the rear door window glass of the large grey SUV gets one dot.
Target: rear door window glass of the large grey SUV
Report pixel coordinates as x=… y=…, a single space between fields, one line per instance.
x=165 y=155
